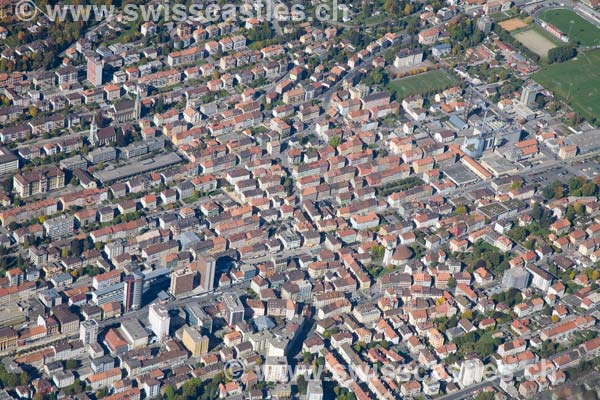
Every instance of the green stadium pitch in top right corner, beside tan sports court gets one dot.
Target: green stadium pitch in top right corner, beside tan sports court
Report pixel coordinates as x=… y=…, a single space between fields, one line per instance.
x=582 y=31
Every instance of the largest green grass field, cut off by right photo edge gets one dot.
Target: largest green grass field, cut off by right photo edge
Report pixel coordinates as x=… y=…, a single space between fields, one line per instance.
x=578 y=80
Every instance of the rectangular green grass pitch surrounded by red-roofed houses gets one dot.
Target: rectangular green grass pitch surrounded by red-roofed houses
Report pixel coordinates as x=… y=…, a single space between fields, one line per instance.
x=427 y=82
